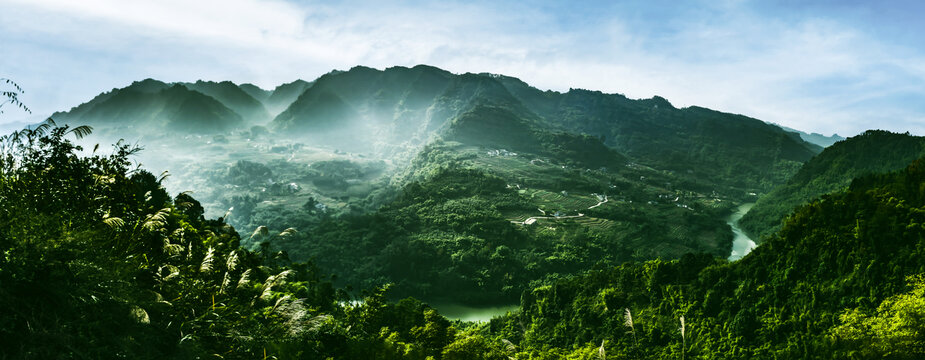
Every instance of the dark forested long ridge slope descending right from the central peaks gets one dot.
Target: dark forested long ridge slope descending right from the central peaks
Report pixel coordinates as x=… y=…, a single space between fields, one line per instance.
x=742 y=152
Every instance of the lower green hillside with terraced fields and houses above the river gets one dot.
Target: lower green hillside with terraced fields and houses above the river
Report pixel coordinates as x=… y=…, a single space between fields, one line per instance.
x=456 y=219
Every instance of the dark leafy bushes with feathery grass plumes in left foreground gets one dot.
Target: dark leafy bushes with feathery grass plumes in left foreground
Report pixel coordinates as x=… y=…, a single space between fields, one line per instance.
x=98 y=261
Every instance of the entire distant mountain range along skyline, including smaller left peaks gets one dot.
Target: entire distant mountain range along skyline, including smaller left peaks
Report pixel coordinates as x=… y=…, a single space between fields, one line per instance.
x=399 y=109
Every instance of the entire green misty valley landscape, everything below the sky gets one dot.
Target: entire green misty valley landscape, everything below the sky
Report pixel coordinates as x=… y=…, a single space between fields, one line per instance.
x=414 y=213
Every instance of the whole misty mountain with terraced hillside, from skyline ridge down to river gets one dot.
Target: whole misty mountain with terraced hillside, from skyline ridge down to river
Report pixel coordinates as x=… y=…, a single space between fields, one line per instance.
x=372 y=151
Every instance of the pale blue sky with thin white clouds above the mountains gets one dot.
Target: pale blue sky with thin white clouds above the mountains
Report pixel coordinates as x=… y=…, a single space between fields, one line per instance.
x=824 y=66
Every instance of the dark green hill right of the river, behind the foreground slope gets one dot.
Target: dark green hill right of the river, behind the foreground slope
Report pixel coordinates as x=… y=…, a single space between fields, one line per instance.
x=874 y=151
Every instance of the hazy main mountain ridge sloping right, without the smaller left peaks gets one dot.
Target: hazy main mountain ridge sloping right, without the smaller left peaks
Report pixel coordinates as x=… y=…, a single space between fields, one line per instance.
x=410 y=105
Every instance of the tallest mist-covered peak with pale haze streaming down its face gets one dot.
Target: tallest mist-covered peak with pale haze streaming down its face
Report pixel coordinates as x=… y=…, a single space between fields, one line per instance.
x=370 y=107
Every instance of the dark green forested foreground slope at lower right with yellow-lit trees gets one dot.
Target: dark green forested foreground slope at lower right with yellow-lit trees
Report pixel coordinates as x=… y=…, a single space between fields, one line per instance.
x=830 y=284
